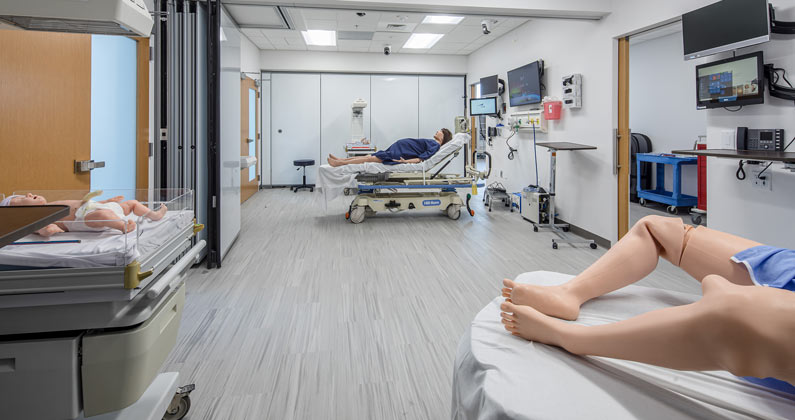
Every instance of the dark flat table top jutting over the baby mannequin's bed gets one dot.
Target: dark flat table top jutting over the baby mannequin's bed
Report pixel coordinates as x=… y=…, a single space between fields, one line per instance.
x=19 y=221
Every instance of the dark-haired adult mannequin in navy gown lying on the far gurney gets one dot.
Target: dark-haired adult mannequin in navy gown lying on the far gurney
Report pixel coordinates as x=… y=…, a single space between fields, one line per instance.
x=402 y=151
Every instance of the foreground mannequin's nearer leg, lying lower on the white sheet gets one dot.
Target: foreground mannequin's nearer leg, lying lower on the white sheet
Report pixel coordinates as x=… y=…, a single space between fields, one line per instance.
x=746 y=330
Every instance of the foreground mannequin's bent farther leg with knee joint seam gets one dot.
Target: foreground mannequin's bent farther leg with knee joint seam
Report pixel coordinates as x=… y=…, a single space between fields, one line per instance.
x=698 y=251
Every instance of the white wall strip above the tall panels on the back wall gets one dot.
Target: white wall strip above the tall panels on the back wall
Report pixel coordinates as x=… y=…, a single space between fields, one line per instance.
x=323 y=61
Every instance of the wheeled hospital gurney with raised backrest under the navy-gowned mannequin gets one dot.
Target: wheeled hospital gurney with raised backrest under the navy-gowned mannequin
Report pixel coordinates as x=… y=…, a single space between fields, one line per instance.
x=409 y=186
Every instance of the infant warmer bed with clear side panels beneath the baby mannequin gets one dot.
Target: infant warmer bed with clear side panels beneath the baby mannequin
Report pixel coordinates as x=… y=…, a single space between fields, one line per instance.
x=85 y=326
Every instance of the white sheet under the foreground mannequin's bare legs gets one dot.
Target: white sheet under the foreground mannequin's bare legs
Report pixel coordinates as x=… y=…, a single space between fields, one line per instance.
x=497 y=375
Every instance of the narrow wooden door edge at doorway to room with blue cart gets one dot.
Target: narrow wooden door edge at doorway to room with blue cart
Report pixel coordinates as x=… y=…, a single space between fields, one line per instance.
x=623 y=140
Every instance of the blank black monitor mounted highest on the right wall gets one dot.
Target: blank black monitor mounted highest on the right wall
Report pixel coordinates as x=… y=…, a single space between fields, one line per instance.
x=724 y=26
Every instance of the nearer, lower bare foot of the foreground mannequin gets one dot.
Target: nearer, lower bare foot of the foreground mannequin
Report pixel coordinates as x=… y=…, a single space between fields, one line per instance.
x=528 y=323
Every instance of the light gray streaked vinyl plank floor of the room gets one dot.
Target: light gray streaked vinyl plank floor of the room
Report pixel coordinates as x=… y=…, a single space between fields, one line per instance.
x=312 y=317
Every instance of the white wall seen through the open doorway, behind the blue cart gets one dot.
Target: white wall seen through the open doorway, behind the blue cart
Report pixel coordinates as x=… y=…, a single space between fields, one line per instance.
x=662 y=101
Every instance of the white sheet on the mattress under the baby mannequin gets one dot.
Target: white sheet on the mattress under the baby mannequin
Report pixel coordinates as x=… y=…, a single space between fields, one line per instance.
x=97 y=249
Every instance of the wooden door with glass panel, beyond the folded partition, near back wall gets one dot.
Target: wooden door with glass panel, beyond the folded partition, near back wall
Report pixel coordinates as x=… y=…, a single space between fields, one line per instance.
x=249 y=135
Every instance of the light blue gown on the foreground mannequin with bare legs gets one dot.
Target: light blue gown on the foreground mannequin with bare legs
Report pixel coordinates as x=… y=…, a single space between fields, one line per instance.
x=771 y=267
